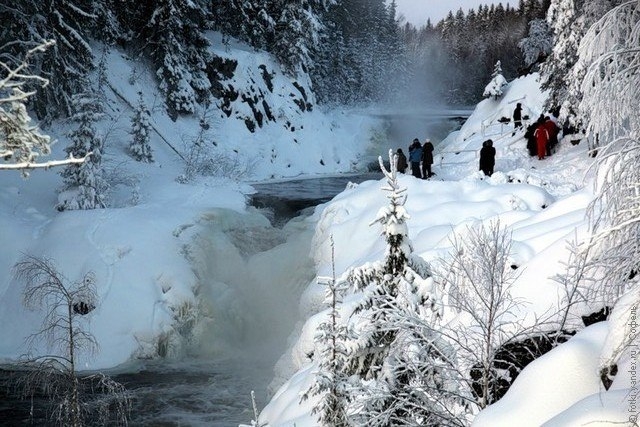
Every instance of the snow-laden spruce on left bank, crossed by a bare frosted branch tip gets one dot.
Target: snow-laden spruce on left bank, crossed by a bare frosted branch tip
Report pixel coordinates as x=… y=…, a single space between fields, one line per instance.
x=83 y=184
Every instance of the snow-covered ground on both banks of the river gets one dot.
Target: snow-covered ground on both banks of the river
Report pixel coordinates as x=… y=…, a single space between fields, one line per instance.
x=145 y=249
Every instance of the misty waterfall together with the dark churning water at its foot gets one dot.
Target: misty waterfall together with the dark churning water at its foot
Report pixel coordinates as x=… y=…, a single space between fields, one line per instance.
x=251 y=276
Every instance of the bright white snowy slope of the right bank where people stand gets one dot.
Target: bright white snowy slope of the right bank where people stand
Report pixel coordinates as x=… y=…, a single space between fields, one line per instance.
x=543 y=204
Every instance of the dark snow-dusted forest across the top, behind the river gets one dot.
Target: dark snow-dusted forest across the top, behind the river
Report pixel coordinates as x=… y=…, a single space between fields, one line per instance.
x=355 y=51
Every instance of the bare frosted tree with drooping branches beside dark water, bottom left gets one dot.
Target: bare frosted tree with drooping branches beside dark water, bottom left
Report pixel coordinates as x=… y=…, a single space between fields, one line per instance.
x=72 y=396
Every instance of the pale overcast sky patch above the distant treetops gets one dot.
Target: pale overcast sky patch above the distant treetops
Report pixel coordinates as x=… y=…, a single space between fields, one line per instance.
x=418 y=11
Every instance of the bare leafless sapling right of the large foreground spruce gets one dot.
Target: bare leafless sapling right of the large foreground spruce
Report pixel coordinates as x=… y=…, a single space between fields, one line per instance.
x=477 y=277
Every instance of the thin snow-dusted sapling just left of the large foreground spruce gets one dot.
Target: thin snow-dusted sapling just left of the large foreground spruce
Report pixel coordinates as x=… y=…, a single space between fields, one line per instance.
x=330 y=381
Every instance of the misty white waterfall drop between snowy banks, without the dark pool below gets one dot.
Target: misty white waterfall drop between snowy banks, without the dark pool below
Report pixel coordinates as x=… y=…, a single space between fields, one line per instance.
x=251 y=278
